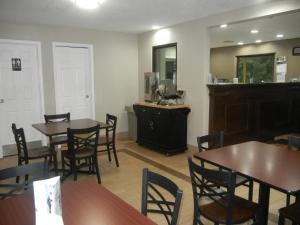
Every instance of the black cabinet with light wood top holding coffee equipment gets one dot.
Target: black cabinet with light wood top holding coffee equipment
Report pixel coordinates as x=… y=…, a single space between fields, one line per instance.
x=163 y=128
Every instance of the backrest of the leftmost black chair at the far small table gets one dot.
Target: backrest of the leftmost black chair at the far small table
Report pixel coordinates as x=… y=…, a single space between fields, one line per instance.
x=20 y=142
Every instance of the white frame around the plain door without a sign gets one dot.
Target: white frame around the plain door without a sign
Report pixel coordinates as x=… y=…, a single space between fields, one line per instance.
x=91 y=65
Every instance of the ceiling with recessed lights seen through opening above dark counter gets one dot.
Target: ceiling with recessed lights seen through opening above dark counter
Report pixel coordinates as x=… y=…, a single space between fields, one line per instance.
x=269 y=27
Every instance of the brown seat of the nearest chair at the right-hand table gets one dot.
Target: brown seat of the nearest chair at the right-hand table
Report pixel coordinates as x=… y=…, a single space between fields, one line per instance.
x=243 y=210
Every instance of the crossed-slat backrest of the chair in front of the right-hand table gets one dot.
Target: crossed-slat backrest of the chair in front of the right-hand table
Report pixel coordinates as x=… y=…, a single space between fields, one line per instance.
x=204 y=185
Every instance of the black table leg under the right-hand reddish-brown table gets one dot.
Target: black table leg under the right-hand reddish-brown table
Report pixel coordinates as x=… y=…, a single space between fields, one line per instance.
x=263 y=201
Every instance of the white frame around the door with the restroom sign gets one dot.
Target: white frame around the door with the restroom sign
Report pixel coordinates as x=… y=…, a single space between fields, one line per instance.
x=37 y=45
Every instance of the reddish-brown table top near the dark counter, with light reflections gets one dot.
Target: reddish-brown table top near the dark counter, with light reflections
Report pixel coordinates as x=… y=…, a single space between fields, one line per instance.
x=276 y=166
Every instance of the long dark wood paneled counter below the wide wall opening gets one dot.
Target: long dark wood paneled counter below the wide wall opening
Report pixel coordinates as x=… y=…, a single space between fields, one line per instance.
x=254 y=111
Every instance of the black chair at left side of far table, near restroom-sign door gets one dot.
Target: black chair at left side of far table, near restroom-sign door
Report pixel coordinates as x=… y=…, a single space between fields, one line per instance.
x=25 y=154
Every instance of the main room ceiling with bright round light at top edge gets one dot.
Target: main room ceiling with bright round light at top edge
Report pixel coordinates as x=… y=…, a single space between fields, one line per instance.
x=133 y=16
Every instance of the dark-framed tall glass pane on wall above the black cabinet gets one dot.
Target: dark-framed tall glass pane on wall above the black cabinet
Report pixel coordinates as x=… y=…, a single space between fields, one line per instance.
x=164 y=63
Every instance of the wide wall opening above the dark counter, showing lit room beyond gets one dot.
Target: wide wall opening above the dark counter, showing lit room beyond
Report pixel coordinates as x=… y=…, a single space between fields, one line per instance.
x=256 y=51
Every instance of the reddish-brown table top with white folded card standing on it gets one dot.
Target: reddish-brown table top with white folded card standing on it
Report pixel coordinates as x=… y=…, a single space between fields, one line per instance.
x=83 y=202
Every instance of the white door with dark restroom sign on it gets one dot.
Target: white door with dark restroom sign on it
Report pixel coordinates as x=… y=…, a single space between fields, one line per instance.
x=20 y=90
